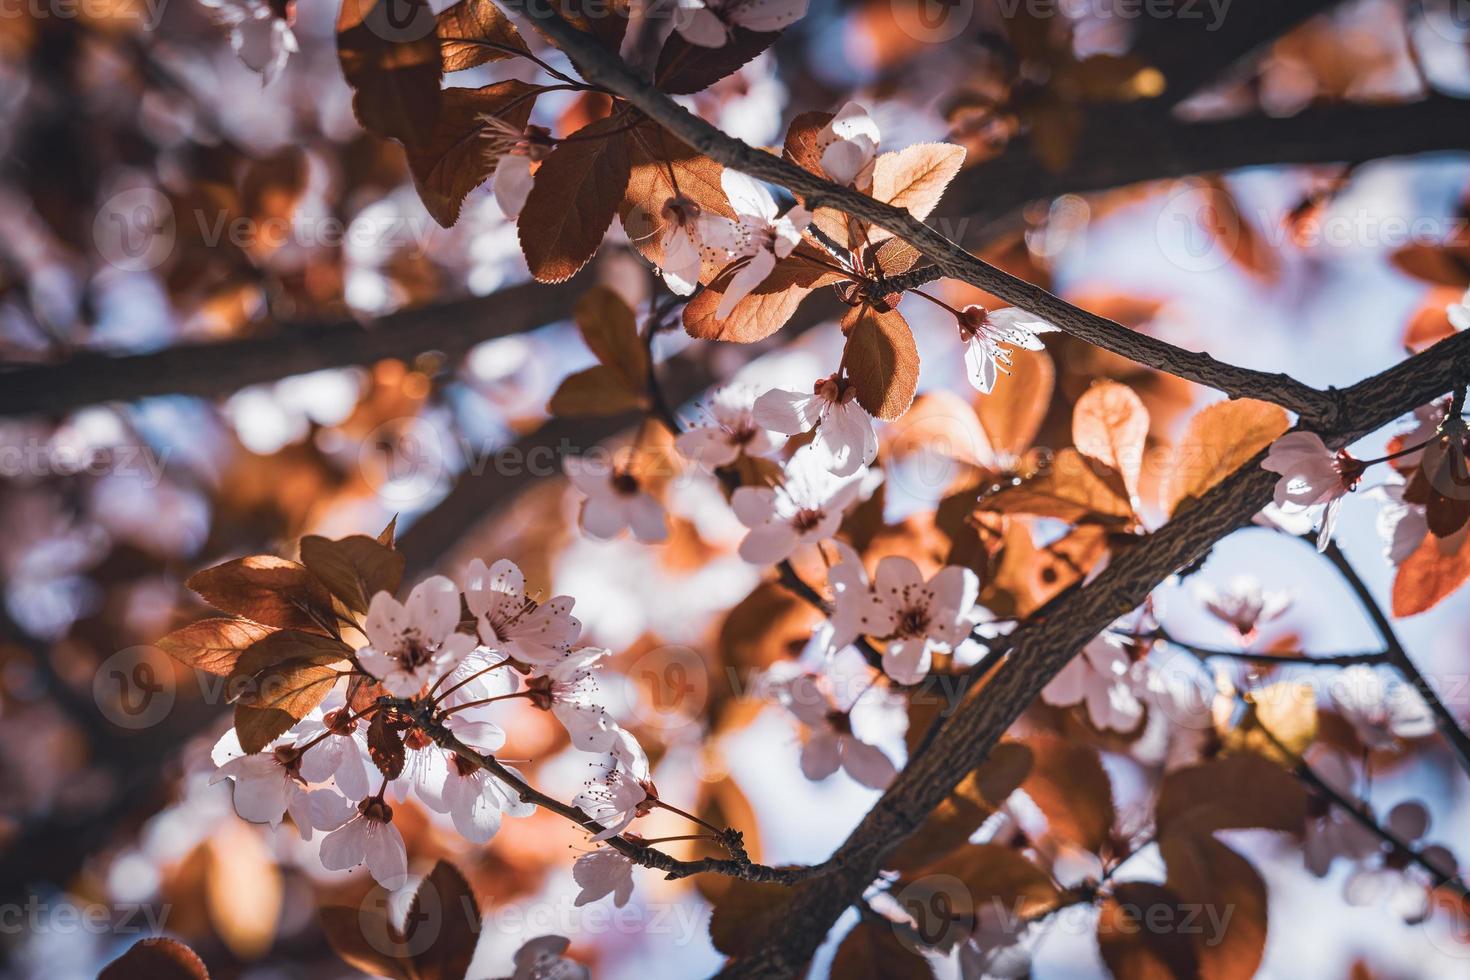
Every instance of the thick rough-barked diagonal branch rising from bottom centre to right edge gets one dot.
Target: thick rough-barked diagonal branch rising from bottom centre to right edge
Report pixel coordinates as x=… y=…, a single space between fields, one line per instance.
x=1041 y=650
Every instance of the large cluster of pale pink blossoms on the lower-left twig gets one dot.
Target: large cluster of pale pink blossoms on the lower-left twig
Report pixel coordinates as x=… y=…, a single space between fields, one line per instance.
x=429 y=678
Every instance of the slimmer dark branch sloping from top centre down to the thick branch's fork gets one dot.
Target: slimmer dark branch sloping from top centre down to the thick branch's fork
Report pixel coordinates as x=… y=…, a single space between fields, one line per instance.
x=605 y=68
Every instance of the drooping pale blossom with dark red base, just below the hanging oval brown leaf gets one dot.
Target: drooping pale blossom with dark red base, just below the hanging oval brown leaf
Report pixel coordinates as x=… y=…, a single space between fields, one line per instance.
x=845 y=431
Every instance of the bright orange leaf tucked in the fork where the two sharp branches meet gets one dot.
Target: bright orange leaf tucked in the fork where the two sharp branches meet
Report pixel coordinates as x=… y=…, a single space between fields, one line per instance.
x=1219 y=440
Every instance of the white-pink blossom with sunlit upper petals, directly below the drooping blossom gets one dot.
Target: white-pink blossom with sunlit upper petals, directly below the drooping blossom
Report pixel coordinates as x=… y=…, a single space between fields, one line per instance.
x=805 y=509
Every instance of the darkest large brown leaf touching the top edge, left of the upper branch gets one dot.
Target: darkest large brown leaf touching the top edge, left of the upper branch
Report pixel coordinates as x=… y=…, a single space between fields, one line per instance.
x=390 y=57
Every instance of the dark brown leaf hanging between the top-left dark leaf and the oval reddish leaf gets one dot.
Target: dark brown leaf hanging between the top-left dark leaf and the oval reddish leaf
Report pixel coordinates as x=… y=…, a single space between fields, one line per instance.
x=456 y=155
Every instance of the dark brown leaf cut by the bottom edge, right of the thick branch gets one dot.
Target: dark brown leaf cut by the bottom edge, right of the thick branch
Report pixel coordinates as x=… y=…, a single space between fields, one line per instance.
x=1140 y=937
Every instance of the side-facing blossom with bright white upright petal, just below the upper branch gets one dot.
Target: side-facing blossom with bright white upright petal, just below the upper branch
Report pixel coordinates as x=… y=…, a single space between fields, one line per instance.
x=755 y=240
